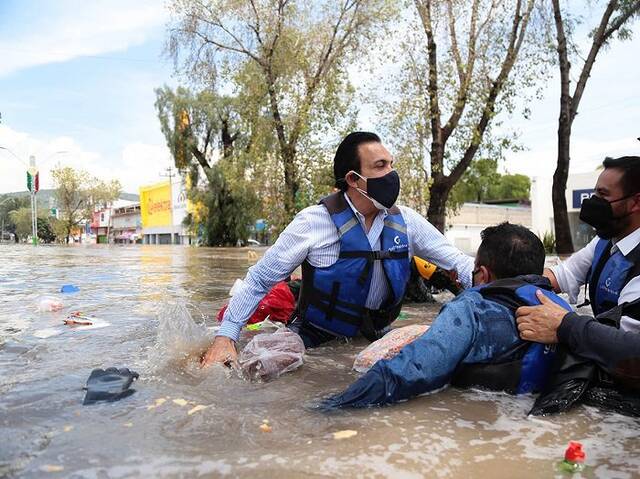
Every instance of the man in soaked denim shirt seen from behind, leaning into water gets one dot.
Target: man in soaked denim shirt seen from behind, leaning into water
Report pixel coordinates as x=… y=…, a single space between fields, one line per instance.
x=474 y=339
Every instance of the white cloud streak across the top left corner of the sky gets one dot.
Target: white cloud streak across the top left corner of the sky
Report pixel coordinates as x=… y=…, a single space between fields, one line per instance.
x=95 y=28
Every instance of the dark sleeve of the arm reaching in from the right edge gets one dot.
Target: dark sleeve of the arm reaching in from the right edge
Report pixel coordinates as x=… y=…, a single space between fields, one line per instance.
x=614 y=350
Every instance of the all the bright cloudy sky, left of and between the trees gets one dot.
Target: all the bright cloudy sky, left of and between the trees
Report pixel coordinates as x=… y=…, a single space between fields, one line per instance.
x=79 y=76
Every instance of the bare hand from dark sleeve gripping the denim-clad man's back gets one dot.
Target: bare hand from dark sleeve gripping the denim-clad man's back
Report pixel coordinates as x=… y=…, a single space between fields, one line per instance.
x=540 y=323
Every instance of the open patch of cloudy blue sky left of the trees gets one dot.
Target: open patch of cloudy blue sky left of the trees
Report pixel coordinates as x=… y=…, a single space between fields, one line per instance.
x=79 y=77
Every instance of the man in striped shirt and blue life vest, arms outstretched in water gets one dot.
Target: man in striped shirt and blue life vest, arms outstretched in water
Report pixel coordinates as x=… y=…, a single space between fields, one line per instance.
x=355 y=249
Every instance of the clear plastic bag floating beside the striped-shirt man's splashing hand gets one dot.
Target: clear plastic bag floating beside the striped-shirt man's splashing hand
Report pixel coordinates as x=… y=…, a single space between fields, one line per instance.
x=268 y=356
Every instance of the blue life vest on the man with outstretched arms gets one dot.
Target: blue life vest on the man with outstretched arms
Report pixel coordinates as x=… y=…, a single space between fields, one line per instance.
x=333 y=298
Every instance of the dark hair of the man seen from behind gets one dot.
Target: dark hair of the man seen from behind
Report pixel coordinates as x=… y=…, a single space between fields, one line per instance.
x=510 y=250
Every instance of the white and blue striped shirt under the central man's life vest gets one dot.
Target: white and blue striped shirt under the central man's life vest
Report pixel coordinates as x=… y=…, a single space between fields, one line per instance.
x=313 y=236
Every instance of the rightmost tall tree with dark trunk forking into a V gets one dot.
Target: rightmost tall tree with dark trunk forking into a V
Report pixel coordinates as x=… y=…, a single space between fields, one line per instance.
x=616 y=15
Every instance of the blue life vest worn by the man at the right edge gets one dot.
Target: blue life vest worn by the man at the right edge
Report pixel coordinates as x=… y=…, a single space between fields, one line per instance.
x=609 y=274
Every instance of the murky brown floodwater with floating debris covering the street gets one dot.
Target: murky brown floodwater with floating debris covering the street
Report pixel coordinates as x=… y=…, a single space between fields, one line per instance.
x=45 y=431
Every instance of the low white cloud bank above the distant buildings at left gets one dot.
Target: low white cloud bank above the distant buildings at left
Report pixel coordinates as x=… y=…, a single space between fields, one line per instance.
x=137 y=165
